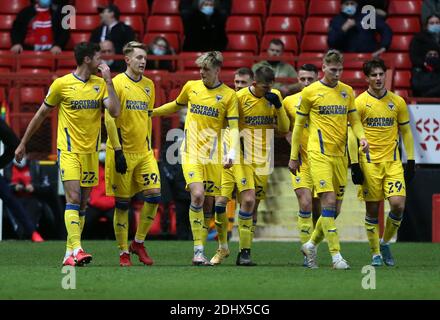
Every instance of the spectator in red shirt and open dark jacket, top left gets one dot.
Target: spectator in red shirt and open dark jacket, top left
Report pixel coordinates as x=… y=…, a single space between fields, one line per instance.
x=39 y=27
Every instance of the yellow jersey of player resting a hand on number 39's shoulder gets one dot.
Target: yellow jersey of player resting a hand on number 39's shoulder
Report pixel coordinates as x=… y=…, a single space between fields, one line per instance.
x=208 y=112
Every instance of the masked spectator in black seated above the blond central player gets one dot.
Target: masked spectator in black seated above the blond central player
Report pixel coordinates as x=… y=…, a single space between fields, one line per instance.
x=205 y=28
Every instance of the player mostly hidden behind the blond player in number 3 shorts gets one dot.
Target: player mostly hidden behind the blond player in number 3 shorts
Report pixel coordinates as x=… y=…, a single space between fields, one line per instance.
x=303 y=183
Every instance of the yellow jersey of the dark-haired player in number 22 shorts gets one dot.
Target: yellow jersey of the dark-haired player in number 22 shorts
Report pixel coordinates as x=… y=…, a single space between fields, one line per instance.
x=79 y=115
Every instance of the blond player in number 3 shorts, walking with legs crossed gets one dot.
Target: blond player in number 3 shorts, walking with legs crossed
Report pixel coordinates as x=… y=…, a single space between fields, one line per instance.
x=328 y=104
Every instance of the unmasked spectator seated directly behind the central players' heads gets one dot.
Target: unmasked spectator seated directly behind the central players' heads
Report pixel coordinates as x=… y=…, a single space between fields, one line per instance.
x=280 y=68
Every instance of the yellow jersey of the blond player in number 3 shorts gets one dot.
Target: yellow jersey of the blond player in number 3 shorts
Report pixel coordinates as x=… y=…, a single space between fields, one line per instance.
x=327 y=108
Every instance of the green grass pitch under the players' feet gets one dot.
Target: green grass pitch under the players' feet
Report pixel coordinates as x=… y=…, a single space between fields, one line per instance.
x=33 y=271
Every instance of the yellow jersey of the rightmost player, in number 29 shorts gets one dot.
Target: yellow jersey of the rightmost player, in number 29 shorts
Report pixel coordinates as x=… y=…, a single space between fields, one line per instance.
x=381 y=119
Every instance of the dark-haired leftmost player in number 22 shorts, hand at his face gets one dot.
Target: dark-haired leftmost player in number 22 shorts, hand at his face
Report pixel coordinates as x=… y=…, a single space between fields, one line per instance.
x=79 y=97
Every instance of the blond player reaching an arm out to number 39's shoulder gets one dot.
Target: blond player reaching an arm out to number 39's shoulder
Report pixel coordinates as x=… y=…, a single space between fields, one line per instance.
x=210 y=104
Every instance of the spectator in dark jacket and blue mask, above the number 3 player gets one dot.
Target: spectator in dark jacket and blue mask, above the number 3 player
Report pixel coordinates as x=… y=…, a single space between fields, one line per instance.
x=348 y=34
